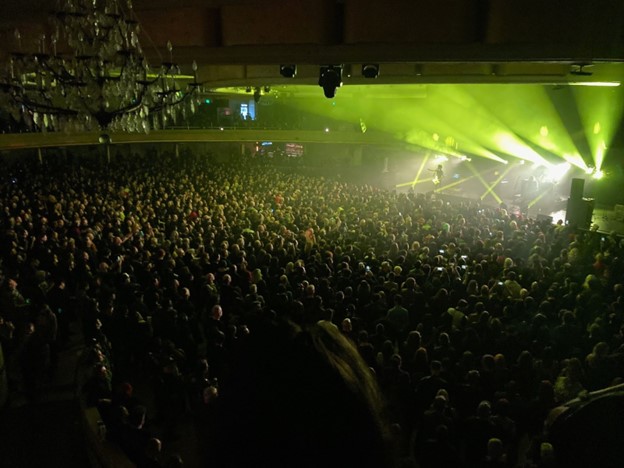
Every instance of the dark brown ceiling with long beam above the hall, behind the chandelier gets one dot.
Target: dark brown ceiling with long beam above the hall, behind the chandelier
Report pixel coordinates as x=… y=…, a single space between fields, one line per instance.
x=242 y=42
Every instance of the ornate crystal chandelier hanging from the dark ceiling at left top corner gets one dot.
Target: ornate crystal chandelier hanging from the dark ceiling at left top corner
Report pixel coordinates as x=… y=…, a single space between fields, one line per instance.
x=91 y=74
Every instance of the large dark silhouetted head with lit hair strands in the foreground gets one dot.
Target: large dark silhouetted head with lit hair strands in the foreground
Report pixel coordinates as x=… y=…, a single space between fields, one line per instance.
x=314 y=400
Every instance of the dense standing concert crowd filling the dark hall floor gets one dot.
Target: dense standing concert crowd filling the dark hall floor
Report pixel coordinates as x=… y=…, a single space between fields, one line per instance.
x=299 y=317
